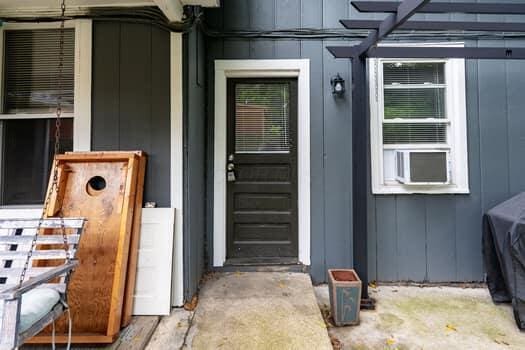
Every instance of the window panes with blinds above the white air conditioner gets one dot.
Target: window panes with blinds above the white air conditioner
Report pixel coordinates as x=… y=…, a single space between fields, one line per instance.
x=414 y=103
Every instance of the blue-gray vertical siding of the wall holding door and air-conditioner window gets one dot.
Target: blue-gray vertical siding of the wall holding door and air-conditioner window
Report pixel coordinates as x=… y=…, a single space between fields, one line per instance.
x=433 y=238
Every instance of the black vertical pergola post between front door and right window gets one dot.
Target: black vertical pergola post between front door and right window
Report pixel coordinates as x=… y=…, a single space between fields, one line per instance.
x=360 y=135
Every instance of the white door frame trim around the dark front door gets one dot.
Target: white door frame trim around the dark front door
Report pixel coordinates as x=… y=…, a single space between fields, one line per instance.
x=225 y=69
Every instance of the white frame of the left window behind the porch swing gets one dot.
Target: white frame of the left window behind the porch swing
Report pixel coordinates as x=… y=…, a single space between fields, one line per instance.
x=82 y=90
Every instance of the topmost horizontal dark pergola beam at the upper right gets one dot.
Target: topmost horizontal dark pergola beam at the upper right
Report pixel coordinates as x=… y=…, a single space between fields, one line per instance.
x=448 y=7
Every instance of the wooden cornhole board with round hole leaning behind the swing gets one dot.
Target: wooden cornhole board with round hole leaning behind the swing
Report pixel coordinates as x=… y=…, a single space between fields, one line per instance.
x=96 y=308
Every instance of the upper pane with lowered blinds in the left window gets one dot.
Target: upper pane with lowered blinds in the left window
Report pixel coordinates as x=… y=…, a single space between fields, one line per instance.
x=31 y=71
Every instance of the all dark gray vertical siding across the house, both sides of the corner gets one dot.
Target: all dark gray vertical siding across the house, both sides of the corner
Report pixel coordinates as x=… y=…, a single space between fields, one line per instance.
x=410 y=237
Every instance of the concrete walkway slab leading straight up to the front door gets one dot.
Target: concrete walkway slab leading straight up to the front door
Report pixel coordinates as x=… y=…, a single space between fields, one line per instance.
x=255 y=310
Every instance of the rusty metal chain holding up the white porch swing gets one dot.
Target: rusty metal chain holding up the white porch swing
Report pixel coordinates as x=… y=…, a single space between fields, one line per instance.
x=56 y=151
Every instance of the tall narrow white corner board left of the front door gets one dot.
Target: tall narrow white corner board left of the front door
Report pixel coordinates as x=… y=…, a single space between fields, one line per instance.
x=176 y=166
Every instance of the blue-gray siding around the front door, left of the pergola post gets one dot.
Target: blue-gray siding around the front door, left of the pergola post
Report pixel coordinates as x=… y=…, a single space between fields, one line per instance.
x=331 y=122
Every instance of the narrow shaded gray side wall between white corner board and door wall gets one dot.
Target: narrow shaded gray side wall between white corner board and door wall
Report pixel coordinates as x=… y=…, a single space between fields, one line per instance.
x=194 y=161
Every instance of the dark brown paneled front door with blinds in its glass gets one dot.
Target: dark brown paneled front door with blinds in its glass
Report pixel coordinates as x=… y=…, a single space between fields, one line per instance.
x=262 y=170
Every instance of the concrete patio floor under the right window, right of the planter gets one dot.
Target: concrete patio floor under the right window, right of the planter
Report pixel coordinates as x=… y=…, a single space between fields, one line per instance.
x=429 y=318
